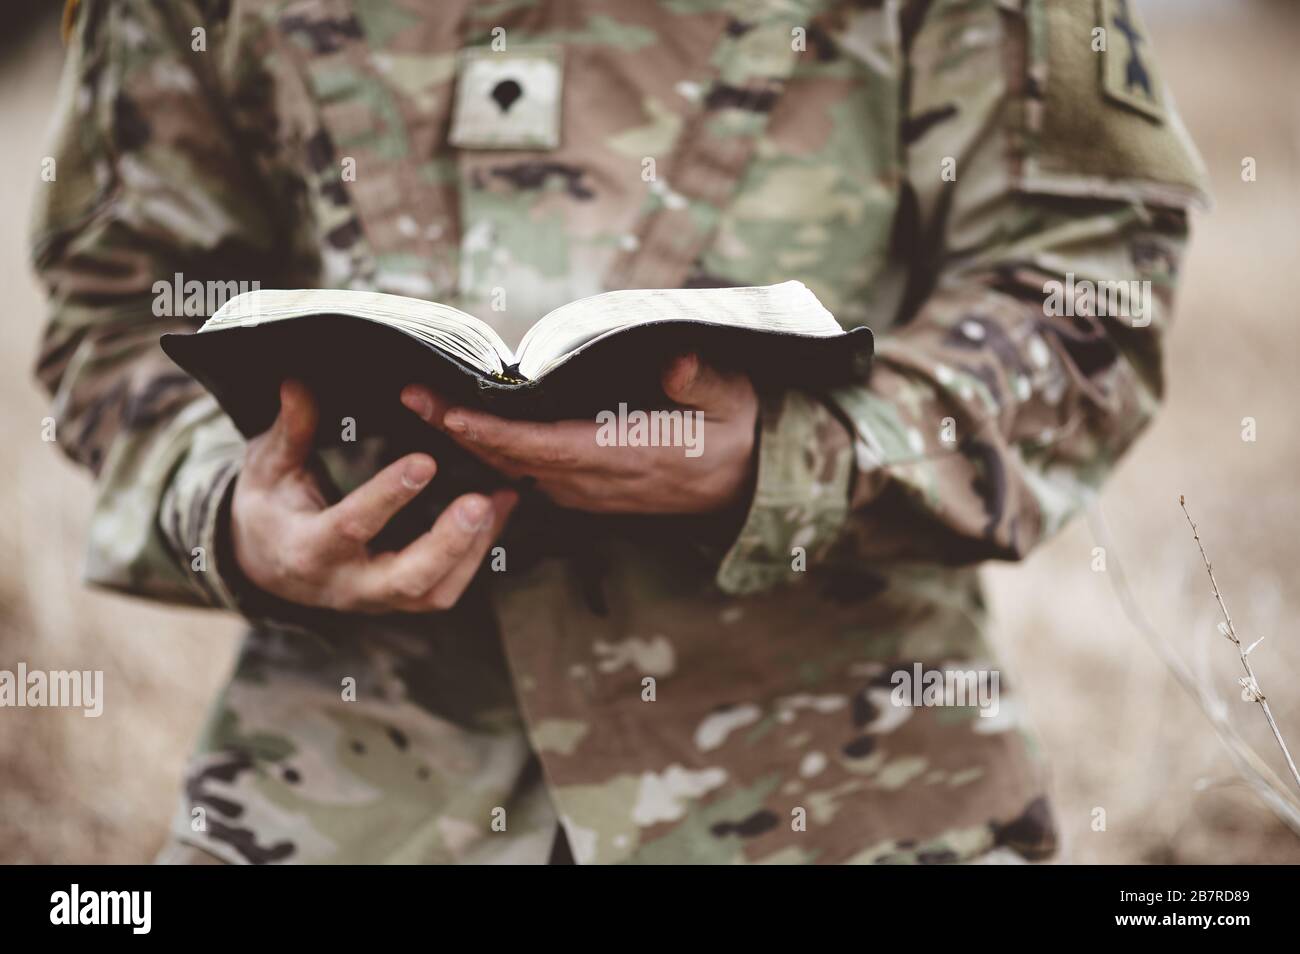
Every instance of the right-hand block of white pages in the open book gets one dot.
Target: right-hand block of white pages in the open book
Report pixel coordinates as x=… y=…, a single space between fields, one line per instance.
x=788 y=307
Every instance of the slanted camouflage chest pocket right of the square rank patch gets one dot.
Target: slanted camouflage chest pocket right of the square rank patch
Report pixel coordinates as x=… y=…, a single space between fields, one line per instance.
x=818 y=201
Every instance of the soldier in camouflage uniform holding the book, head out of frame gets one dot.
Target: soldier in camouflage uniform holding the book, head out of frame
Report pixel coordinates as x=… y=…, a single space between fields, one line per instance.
x=712 y=684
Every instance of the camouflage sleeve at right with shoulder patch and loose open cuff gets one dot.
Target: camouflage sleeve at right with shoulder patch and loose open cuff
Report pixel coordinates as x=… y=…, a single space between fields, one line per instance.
x=1042 y=270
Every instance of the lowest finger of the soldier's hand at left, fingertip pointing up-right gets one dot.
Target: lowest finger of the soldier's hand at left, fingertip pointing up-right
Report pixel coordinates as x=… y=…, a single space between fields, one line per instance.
x=406 y=578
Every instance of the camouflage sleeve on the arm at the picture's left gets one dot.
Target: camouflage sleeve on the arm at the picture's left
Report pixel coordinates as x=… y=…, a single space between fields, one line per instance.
x=155 y=194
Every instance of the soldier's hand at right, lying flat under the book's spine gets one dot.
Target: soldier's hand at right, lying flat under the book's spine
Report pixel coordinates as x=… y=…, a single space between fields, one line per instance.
x=571 y=467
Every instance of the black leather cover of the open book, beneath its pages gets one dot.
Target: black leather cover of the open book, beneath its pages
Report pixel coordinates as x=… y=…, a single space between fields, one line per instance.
x=357 y=368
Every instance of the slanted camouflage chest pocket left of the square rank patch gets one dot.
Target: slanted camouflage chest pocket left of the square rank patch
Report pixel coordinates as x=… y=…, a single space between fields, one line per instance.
x=369 y=118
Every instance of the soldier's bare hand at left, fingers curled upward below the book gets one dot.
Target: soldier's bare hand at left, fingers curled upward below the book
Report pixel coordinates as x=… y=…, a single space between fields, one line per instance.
x=292 y=544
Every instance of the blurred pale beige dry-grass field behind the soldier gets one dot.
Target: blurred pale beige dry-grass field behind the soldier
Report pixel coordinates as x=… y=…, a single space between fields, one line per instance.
x=1119 y=731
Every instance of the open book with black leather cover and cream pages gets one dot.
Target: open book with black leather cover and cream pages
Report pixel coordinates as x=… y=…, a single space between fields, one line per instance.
x=357 y=350
